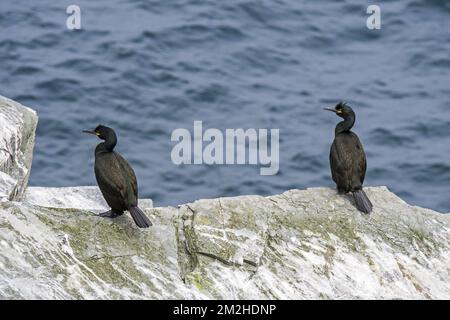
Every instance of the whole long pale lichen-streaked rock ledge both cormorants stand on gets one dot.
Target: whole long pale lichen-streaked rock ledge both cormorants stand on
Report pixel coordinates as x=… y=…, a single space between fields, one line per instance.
x=302 y=244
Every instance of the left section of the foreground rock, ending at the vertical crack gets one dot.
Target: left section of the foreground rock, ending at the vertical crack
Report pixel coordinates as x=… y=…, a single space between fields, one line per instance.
x=73 y=254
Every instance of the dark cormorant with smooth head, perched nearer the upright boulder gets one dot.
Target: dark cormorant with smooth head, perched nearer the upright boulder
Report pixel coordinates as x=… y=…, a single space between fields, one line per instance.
x=116 y=178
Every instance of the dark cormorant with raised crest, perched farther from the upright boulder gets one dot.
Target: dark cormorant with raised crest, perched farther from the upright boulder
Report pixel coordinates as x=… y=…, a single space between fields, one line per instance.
x=347 y=158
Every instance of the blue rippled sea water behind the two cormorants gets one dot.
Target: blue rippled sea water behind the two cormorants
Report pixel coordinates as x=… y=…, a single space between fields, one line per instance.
x=148 y=67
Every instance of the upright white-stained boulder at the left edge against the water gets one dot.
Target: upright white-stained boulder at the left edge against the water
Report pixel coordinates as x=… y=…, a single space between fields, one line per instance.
x=17 y=131
